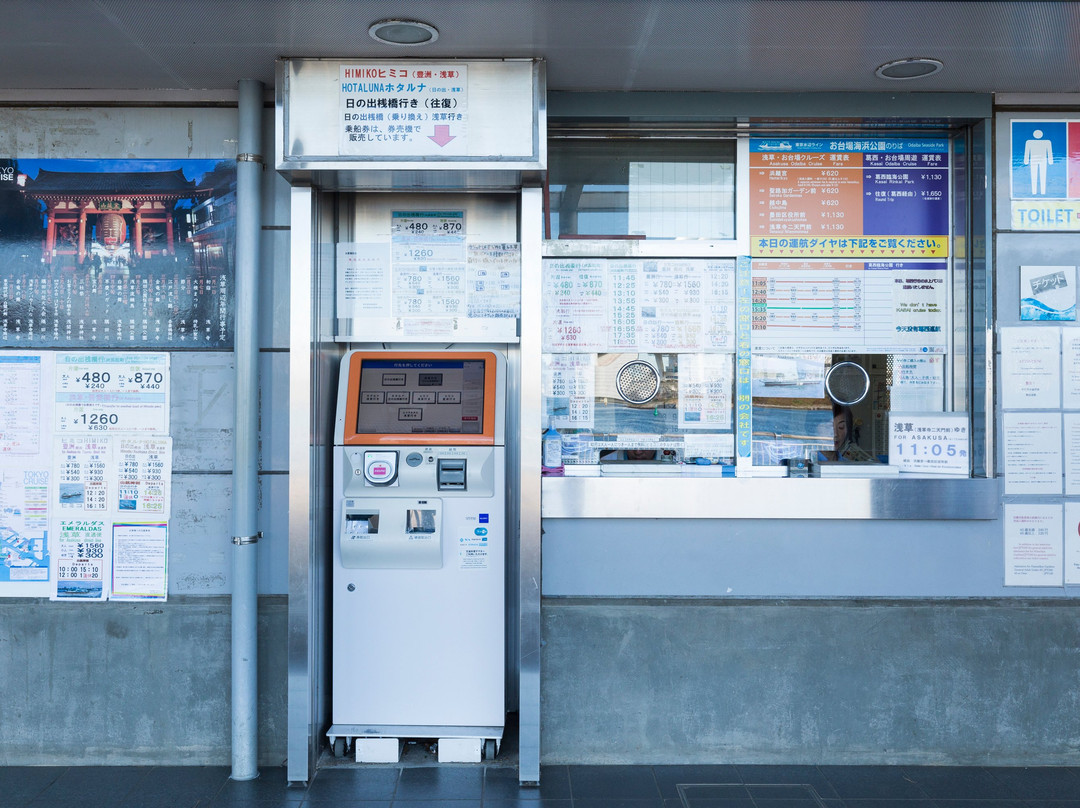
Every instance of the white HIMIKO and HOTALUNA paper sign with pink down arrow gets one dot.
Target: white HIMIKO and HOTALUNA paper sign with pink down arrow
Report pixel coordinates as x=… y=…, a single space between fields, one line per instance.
x=403 y=112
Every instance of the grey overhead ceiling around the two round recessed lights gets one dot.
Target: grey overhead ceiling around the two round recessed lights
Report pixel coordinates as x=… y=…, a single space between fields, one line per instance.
x=589 y=45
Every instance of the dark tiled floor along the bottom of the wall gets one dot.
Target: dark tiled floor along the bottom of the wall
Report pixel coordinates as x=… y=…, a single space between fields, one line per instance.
x=562 y=787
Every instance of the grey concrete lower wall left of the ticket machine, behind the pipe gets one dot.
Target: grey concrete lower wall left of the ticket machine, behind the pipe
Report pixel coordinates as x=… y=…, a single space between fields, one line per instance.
x=132 y=684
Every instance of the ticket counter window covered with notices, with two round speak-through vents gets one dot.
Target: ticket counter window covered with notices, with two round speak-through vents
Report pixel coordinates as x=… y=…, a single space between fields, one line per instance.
x=666 y=345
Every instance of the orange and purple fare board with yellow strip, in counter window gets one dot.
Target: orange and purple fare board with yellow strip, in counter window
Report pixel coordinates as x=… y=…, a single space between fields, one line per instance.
x=877 y=198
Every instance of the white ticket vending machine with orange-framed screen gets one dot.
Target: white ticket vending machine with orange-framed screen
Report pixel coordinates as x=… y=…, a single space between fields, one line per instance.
x=420 y=557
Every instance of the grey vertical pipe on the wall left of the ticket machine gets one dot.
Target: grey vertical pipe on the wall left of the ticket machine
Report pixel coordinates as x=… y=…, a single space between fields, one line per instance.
x=246 y=443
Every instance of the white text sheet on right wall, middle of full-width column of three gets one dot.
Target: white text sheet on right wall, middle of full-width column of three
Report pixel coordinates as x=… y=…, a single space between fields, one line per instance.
x=1033 y=453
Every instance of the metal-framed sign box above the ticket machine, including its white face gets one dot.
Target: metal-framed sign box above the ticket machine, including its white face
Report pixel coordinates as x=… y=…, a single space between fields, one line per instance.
x=337 y=115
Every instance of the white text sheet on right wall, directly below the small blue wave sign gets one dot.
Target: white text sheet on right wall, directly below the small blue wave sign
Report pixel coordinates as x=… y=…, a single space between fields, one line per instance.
x=1031 y=368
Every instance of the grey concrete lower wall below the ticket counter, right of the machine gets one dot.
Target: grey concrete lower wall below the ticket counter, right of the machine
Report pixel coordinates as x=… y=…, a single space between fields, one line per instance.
x=985 y=682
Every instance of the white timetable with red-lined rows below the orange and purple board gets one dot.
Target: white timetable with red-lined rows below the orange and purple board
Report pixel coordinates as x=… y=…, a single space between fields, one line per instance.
x=875 y=307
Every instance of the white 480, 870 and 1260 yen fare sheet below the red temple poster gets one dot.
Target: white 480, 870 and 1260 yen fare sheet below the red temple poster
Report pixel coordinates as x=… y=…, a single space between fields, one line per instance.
x=112 y=393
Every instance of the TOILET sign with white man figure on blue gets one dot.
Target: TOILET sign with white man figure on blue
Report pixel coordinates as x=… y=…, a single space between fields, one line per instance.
x=1046 y=176
